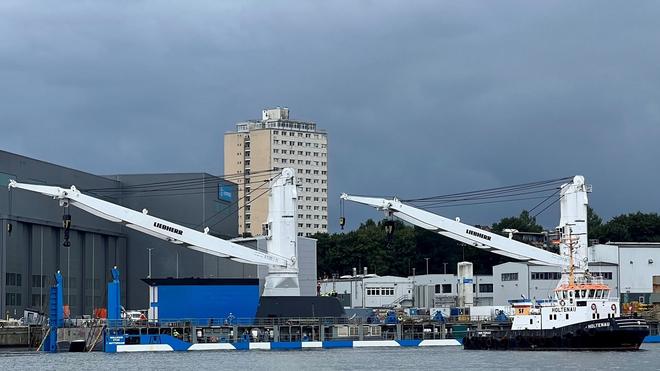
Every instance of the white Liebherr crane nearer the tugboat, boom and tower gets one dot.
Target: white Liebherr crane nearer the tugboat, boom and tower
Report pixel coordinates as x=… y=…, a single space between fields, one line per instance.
x=573 y=211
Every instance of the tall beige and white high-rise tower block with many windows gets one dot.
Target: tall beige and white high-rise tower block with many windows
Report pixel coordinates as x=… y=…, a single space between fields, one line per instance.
x=273 y=143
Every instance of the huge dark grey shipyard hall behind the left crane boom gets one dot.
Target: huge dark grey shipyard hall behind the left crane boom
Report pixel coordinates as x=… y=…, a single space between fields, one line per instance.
x=31 y=249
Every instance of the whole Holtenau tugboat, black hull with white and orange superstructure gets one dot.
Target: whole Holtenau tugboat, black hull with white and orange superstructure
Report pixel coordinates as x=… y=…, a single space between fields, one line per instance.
x=581 y=316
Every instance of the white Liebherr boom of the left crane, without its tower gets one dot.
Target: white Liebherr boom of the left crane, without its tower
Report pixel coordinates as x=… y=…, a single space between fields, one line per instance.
x=160 y=228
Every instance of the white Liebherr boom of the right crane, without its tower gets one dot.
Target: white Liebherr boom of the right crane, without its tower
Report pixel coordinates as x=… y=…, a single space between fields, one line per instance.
x=456 y=230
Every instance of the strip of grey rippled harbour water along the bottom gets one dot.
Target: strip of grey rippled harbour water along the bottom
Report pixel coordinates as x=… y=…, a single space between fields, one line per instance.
x=336 y=359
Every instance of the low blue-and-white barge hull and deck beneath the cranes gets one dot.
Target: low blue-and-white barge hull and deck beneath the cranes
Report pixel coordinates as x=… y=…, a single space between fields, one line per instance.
x=271 y=334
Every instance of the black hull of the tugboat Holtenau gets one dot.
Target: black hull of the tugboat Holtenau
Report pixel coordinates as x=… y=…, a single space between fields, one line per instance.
x=605 y=334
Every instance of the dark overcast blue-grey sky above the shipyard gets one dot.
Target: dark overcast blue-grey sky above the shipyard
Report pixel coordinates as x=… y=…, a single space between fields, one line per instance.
x=419 y=97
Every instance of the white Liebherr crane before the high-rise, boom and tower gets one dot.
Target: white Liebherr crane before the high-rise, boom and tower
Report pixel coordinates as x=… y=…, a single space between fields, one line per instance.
x=281 y=255
